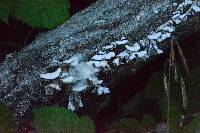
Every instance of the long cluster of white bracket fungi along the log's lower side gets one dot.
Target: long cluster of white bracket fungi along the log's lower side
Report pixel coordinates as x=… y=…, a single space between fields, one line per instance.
x=80 y=73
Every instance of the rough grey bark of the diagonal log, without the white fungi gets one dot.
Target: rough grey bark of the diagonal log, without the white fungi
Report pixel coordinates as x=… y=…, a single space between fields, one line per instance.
x=87 y=31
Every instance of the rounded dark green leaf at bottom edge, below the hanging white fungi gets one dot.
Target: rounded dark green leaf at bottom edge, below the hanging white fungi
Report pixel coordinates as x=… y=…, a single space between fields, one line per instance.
x=58 y=120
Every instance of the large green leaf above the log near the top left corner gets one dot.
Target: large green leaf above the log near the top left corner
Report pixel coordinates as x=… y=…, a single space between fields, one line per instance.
x=42 y=13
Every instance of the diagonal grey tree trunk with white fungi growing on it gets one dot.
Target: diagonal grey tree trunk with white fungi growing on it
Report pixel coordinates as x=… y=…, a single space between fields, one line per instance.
x=134 y=31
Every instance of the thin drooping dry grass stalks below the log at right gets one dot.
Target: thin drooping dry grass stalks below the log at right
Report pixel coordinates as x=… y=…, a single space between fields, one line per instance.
x=171 y=73
